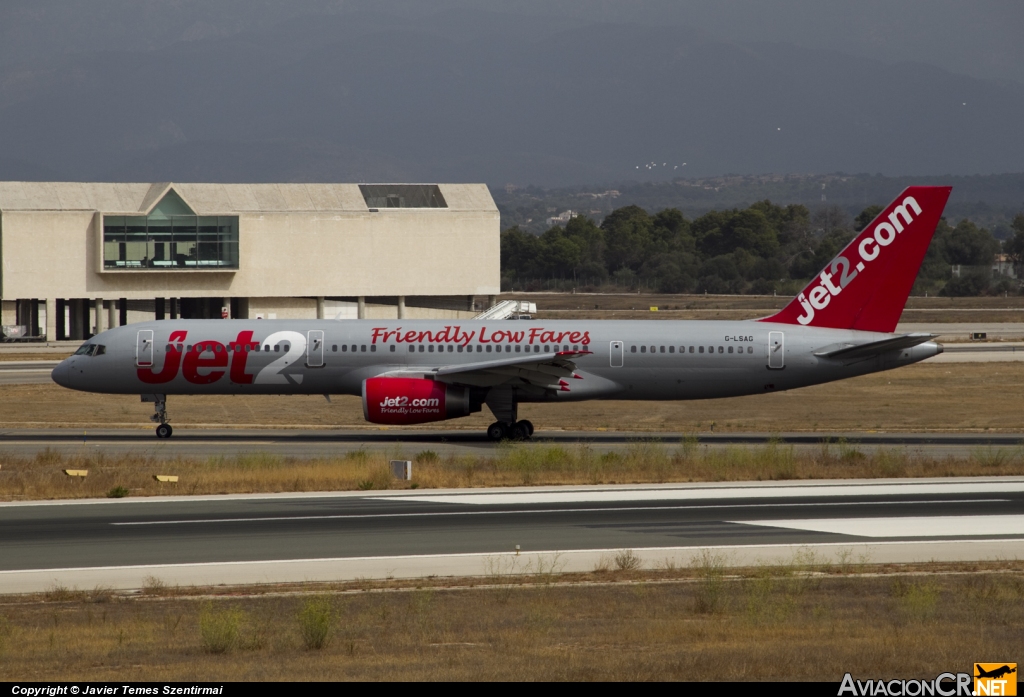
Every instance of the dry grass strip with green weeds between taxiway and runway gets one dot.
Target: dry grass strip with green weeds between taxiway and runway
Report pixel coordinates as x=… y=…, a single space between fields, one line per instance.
x=42 y=476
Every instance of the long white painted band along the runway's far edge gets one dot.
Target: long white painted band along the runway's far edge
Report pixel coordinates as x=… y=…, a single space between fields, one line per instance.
x=711 y=494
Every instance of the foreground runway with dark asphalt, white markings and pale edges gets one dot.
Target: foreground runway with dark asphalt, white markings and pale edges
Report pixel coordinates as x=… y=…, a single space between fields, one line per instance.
x=333 y=537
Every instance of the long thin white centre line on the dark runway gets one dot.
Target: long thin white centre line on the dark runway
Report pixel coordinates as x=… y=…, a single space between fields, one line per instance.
x=358 y=516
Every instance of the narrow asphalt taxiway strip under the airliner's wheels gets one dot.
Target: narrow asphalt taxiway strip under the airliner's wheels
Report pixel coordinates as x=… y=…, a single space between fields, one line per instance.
x=199 y=443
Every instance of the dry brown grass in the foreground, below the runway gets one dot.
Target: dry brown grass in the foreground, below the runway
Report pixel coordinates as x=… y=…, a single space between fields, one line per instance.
x=699 y=624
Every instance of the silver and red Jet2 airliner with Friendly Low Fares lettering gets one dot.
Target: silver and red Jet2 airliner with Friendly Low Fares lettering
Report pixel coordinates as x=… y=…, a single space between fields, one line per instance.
x=415 y=372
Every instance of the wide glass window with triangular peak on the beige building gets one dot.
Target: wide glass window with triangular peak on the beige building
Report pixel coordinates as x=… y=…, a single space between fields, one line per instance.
x=170 y=238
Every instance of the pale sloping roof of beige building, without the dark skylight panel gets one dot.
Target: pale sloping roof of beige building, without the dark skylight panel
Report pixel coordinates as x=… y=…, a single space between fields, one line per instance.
x=140 y=199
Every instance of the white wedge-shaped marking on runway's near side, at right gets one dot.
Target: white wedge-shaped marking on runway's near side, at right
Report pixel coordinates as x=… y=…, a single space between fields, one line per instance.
x=932 y=527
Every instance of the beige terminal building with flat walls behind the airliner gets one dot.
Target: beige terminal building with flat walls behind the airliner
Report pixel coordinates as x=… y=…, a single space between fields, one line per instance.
x=78 y=258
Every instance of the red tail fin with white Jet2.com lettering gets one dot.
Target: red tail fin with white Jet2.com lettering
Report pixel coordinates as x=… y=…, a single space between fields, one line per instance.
x=867 y=286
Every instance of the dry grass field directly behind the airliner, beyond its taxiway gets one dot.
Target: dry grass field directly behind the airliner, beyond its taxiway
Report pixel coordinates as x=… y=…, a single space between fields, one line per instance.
x=922 y=398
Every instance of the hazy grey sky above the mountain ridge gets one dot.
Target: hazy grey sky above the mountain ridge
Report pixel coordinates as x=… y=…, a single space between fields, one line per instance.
x=980 y=38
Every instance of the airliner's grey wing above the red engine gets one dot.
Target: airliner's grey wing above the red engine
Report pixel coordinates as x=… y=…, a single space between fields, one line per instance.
x=541 y=370
